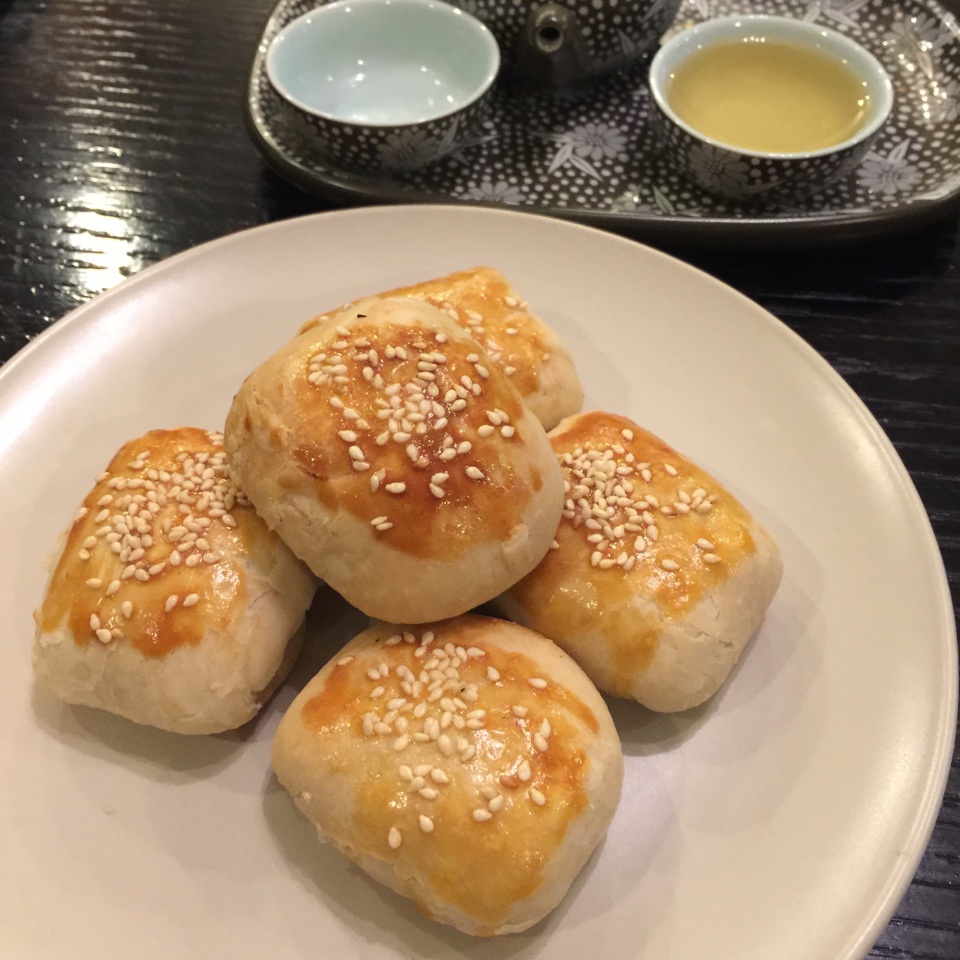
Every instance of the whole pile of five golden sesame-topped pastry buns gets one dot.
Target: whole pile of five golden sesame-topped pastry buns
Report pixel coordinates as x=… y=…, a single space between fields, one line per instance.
x=397 y=448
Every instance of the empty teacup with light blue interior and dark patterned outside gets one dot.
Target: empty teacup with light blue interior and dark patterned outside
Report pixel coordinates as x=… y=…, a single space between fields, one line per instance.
x=384 y=85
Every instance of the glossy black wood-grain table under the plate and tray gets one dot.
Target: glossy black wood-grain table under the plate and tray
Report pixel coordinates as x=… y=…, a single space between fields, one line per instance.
x=122 y=142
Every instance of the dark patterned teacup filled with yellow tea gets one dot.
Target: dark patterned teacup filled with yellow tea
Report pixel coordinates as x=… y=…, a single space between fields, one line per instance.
x=772 y=168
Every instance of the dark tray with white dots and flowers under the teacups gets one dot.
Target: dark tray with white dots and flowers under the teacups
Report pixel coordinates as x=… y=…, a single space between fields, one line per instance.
x=587 y=154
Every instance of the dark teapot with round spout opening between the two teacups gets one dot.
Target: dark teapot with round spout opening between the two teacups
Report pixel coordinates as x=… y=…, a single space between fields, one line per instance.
x=562 y=41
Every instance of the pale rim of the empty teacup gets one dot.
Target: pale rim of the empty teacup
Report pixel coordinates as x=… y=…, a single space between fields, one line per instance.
x=479 y=28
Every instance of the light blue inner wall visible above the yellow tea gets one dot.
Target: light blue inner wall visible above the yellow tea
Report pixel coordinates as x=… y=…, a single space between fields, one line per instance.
x=776 y=29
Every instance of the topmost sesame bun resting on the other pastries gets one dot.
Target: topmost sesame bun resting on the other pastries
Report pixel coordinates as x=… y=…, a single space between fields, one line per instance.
x=396 y=462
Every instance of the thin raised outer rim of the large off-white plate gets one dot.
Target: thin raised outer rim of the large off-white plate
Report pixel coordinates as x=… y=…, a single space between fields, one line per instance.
x=901 y=875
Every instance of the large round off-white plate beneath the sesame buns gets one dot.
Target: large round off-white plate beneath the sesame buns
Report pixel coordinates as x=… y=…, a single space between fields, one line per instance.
x=783 y=820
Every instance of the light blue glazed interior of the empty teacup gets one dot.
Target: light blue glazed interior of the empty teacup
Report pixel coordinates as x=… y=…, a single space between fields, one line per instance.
x=383 y=62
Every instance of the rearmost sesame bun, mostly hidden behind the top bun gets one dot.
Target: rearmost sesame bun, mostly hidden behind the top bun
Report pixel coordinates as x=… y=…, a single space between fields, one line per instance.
x=517 y=341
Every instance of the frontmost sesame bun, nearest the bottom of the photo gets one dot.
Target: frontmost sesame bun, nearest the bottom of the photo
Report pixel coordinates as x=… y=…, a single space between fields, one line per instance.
x=468 y=765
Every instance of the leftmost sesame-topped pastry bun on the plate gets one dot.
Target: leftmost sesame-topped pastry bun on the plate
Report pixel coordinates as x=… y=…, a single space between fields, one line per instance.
x=172 y=603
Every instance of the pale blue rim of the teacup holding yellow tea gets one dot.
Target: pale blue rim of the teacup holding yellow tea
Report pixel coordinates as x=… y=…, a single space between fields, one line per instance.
x=717 y=29
